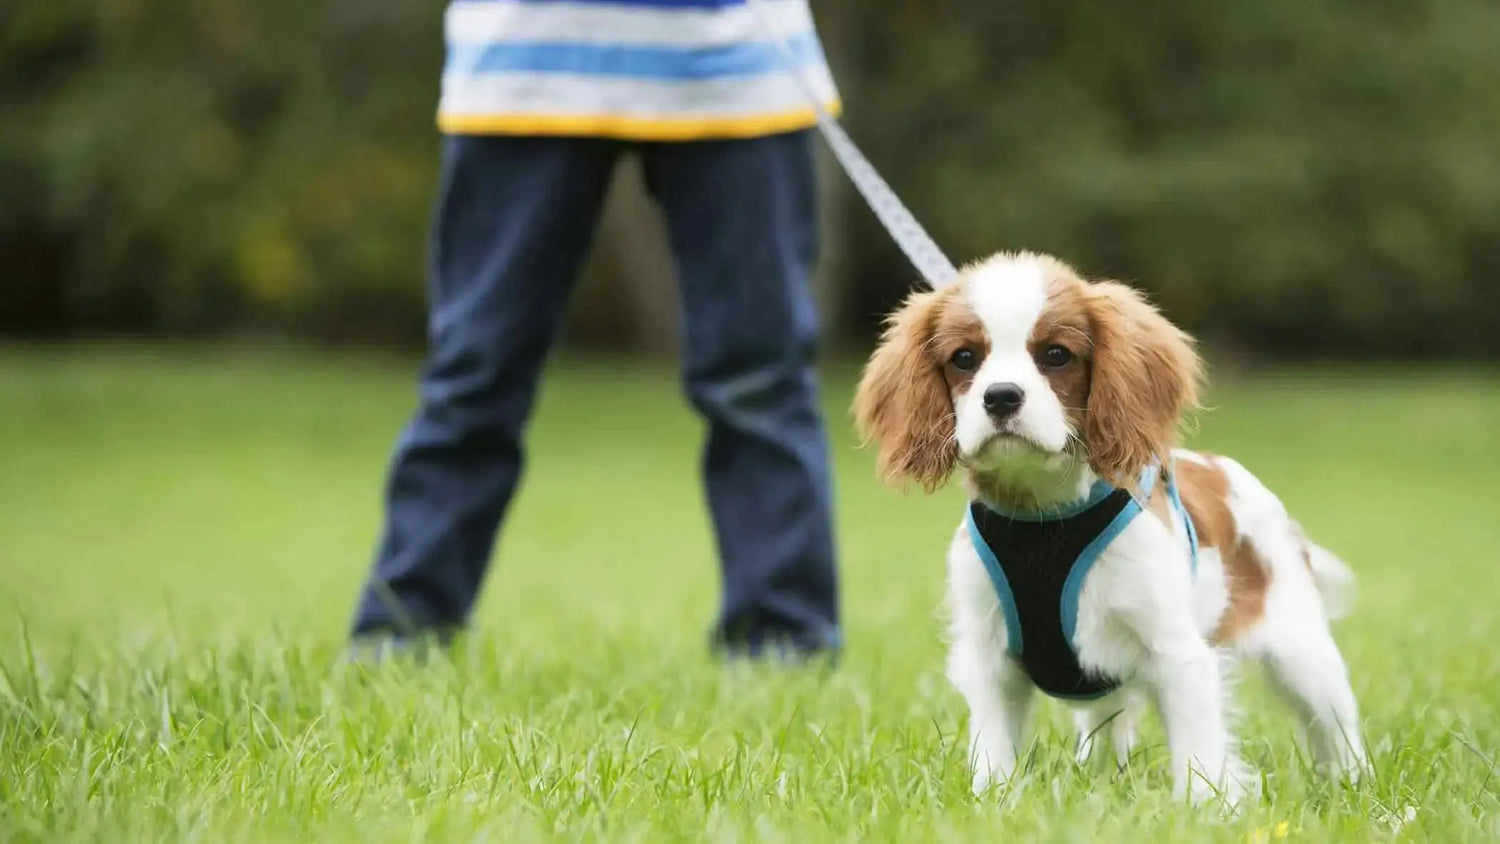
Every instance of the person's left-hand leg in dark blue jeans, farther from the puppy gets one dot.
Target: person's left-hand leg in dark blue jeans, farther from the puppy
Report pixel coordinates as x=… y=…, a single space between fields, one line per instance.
x=512 y=226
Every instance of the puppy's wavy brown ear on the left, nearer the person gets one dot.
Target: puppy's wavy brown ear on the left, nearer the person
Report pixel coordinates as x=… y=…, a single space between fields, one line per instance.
x=902 y=406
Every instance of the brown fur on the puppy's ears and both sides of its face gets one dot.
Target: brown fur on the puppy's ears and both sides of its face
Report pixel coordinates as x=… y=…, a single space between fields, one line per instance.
x=1132 y=380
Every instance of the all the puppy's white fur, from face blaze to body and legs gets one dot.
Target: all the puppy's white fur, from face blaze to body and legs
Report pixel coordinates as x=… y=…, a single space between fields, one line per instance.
x=1142 y=614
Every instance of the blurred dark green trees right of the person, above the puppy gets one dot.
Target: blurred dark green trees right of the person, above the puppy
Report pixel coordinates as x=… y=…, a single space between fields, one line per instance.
x=1303 y=176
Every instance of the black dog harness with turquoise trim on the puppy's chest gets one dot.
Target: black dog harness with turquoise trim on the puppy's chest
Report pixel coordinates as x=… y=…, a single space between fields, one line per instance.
x=1039 y=561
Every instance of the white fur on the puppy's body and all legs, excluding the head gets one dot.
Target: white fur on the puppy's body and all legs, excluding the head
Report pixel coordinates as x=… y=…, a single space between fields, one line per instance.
x=1142 y=617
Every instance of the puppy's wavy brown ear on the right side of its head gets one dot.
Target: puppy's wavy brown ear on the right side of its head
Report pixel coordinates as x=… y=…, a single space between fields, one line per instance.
x=1145 y=379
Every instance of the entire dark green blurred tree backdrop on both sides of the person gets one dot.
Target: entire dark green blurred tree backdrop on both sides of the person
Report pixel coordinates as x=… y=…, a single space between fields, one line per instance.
x=1288 y=176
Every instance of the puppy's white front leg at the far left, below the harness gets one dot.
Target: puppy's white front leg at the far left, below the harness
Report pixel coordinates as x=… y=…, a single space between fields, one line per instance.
x=1000 y=701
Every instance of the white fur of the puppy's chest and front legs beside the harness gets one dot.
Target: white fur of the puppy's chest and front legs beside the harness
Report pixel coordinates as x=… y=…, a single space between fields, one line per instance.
x=1135 y=621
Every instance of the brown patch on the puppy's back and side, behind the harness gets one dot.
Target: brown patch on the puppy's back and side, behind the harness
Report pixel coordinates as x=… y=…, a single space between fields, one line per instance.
x=1247 y=578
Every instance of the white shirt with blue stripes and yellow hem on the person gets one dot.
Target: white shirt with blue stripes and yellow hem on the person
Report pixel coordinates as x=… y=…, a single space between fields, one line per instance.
x=634 y=70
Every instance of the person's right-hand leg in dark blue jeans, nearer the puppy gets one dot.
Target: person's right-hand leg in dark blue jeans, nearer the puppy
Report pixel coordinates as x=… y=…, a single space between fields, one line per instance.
x=743 y=226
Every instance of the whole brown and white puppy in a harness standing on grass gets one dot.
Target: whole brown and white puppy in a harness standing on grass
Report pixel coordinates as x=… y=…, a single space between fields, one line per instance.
x=1097 y=563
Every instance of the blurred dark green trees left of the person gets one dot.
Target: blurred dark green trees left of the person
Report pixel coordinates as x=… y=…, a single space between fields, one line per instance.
x=191 y=166
